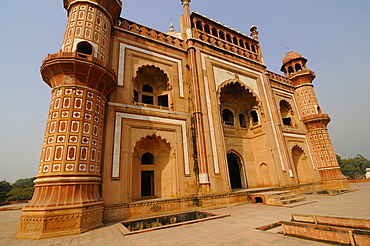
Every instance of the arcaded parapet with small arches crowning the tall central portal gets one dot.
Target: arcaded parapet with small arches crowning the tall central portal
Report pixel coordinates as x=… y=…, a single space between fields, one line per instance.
x=225 y=38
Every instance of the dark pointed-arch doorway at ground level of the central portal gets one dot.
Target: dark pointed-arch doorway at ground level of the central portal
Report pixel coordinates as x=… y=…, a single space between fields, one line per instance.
x=236 y=171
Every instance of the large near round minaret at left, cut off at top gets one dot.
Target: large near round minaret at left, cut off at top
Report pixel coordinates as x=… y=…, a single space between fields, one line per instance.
x=66 y=198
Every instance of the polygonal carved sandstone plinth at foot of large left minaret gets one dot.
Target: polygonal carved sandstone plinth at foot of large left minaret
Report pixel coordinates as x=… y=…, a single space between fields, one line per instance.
x=46 y=223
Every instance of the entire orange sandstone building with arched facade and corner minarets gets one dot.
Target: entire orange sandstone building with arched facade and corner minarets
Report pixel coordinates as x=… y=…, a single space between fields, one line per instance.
x=144 y=122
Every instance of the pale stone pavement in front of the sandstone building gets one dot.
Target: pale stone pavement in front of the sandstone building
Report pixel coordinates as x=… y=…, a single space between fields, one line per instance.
x=238 y=229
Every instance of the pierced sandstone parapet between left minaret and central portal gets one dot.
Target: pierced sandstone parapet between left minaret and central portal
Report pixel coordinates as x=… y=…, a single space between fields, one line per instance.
x=149 y=33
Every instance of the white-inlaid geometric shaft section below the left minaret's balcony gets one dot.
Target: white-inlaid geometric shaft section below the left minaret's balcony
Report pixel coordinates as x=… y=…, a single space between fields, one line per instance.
x=74 y=131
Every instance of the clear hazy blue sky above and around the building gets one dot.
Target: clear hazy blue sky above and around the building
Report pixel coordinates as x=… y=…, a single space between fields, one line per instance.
x=333 y=35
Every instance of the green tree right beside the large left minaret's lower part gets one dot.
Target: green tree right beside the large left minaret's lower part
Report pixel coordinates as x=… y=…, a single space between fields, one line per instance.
x=22 y=189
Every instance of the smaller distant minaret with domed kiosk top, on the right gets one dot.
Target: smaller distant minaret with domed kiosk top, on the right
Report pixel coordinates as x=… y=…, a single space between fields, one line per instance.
x=294 y=68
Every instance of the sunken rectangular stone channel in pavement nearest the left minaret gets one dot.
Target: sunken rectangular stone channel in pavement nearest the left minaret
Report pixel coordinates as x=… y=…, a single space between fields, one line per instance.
x=165 y=221
